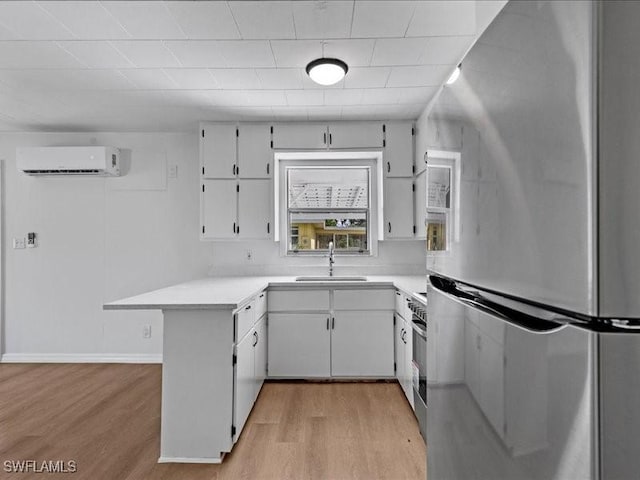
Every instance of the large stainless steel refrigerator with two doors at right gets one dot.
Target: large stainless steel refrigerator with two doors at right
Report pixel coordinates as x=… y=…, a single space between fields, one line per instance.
x=533 y=331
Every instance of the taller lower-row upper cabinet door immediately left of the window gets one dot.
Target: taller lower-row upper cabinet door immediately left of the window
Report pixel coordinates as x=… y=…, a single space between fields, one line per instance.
x=254 y=209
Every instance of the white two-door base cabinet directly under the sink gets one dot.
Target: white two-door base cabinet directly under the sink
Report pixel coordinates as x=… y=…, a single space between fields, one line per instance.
x=342 y=333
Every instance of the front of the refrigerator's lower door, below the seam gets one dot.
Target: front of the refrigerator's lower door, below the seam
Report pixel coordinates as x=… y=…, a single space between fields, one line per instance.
x=507 y=398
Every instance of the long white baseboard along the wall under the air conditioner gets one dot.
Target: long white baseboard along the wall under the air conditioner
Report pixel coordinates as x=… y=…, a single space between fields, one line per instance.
x=81 y=358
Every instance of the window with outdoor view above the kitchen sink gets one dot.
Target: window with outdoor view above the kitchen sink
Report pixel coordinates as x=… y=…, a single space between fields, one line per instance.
x=328 y=204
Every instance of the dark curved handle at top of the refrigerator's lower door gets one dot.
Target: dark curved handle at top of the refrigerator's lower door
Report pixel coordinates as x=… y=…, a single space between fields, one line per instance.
x=476 y=301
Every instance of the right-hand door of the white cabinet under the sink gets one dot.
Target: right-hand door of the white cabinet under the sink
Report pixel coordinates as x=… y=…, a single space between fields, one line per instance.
x=362 y=344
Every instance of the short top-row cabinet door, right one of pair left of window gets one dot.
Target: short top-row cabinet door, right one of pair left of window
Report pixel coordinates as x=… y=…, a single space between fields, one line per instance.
x=254 y=151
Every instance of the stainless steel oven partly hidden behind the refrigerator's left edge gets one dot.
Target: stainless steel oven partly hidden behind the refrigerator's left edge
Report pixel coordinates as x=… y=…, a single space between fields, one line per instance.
x=419 y=363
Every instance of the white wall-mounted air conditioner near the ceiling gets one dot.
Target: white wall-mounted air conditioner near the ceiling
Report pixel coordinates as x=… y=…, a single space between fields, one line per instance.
x=100 y=161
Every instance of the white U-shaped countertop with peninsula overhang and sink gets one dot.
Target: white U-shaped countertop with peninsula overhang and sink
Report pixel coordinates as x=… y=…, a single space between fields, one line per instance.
x=229 y=293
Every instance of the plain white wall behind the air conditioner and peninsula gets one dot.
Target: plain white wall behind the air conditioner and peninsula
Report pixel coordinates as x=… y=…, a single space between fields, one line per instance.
x=99 y=240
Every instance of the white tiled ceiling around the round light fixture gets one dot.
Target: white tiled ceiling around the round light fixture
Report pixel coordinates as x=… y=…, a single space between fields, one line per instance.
x=156 y=65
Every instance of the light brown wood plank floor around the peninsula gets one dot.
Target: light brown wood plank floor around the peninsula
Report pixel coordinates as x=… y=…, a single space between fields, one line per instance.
x=107 y=419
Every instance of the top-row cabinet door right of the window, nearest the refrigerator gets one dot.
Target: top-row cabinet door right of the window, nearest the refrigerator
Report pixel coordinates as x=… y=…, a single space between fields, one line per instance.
x=398 y=150
